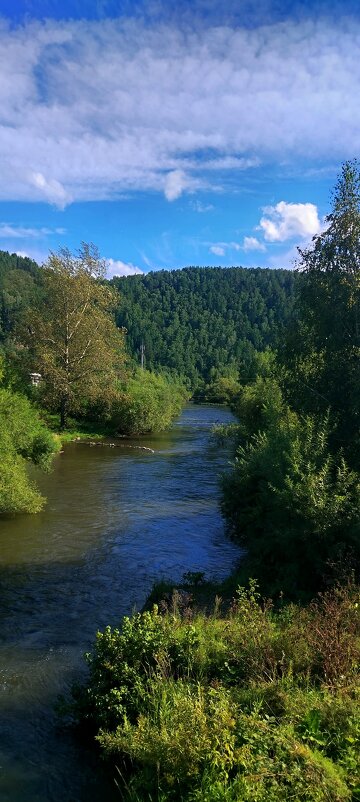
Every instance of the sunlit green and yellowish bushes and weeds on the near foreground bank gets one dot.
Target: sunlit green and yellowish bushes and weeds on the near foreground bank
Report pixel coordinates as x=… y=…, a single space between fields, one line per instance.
x=241 y=707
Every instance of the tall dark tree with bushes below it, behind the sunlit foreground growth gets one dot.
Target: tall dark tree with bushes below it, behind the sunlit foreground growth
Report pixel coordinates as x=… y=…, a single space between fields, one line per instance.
x=292 y=497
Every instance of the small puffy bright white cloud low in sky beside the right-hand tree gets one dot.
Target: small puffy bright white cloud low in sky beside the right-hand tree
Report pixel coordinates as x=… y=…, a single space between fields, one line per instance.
x=288 y=220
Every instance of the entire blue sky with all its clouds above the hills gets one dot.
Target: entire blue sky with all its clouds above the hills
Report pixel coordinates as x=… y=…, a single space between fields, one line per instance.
x=170 y=133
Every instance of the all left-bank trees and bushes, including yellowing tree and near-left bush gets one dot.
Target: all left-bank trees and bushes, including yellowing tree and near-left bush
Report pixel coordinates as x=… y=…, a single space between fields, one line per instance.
x=59 y=322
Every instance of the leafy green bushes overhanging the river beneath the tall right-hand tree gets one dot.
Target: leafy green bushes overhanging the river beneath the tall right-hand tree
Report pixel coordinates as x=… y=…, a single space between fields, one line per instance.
x=291 y=504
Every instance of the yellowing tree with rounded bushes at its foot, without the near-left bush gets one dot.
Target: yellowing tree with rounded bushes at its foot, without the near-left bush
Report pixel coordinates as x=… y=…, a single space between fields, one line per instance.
x=59 y=322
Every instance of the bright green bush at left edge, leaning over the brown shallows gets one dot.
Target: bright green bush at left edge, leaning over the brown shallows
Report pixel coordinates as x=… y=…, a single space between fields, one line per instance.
x=23 y=439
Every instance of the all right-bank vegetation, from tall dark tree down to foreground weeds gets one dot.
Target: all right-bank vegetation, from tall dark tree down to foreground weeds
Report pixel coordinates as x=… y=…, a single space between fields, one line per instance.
x=259 y=700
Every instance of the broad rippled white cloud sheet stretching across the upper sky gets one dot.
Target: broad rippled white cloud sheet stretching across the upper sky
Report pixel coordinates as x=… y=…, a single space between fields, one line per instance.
x=93 y=109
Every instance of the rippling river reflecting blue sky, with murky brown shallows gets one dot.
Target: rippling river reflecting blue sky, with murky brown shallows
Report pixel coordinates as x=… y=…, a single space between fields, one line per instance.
x=117 y=518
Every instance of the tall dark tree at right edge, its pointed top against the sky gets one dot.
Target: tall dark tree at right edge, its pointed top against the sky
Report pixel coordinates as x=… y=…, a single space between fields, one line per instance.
x=325 y=349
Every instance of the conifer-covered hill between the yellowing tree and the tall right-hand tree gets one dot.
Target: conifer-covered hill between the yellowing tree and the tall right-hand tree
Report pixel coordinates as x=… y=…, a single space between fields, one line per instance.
x=201 y=321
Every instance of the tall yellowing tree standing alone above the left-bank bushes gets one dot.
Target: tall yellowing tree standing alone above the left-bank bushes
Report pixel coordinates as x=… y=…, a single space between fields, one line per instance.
x=74 y=341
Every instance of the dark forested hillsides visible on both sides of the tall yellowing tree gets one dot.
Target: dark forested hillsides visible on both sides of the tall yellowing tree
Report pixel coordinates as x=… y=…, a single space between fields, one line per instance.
x=200 y=323
